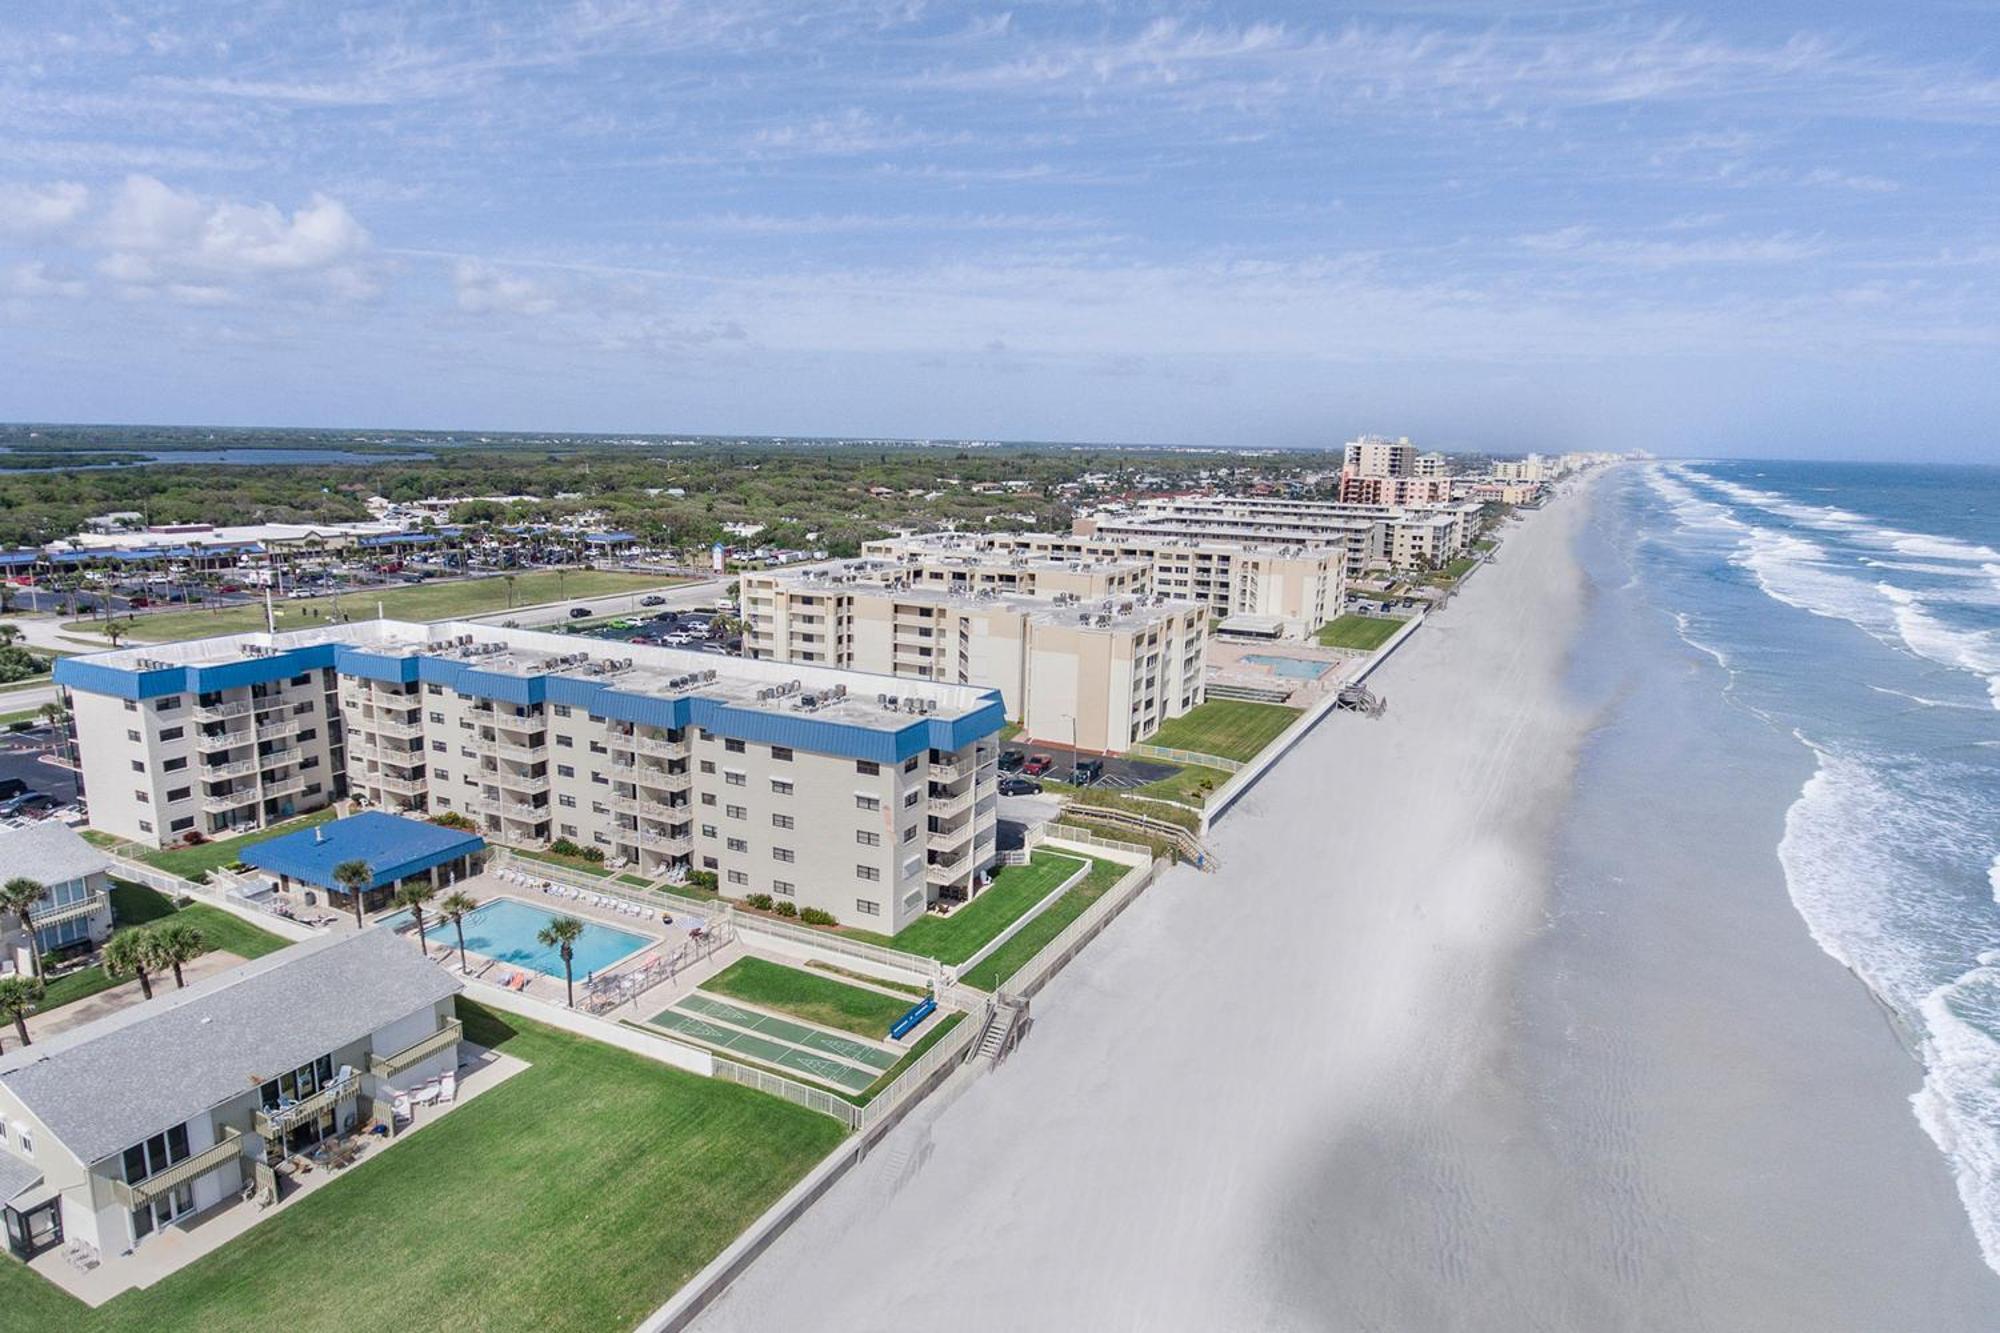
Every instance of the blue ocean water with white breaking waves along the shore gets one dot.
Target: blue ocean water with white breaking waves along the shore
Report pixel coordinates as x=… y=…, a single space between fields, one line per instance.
x=1855 y=611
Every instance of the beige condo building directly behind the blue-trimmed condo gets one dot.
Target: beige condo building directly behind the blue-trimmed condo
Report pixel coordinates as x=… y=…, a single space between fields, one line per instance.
x=1081 y=651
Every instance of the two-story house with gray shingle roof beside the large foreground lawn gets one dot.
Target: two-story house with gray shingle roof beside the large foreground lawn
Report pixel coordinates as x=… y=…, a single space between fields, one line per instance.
x=169 y=1110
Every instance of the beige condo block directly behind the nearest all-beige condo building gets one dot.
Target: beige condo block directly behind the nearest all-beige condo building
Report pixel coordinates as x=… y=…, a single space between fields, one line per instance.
x=1297 y=585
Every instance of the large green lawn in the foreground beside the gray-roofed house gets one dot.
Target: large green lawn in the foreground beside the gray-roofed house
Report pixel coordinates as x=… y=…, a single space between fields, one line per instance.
x=575 y=1196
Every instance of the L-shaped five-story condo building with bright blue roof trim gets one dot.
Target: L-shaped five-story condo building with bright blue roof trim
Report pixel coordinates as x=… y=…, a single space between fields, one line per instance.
x=869 y=798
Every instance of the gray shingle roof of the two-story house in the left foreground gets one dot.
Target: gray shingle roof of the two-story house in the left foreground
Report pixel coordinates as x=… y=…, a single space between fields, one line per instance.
x=121 y=1080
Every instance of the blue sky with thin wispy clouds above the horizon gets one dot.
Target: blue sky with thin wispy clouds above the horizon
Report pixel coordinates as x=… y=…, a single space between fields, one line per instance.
x=1715 y=229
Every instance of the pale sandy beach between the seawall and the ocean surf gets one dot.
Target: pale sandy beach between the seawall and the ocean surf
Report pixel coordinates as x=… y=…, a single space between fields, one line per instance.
x=1391 y=1070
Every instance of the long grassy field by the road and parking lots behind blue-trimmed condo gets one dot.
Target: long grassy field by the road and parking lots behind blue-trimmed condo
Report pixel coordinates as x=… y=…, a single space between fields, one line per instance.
x=405 y=601
